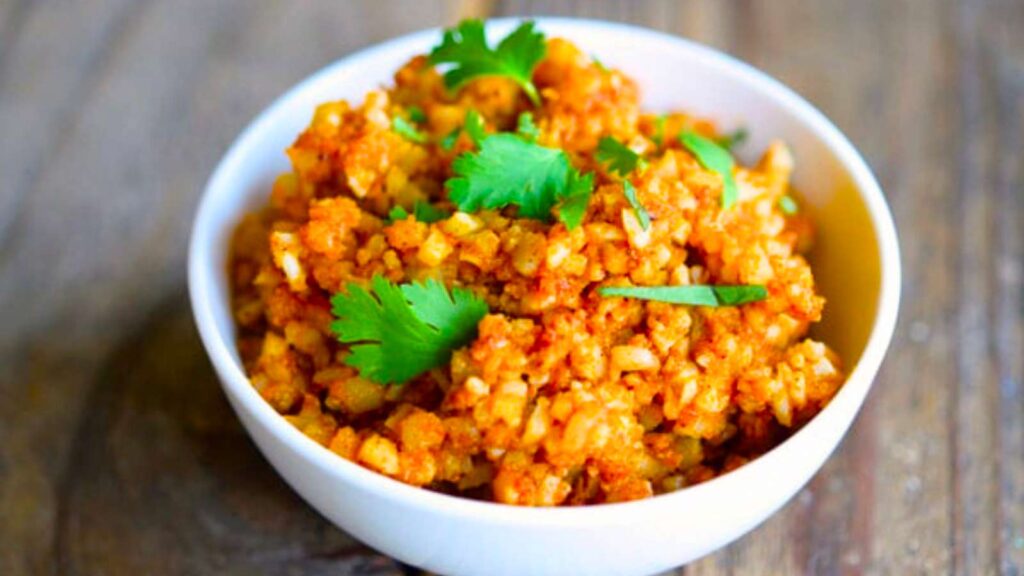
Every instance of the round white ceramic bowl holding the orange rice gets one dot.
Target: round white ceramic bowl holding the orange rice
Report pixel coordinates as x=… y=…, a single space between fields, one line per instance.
x=857 y=262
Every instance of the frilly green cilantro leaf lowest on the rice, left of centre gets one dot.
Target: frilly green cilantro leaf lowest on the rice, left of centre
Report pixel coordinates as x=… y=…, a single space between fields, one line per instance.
x=399 y=333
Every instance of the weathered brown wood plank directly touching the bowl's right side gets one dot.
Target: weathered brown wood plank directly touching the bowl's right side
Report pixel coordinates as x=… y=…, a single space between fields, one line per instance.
x=912 y=529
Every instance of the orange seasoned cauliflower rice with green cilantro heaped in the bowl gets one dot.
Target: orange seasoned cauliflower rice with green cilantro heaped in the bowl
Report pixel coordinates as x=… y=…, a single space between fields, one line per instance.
x=500 y=278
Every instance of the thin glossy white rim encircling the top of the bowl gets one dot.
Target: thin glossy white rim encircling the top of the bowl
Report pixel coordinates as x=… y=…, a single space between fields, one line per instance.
x=237 y=385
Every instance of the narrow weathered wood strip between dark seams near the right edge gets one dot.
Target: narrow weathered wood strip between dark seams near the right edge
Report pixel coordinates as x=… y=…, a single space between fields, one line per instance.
x=975 y=436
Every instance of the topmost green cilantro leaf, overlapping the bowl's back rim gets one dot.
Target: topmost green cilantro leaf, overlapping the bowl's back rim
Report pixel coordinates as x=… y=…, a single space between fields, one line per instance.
x=465 y=48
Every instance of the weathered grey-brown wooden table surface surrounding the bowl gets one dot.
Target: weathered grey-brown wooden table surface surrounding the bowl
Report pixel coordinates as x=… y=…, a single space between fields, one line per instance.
x=119 y=455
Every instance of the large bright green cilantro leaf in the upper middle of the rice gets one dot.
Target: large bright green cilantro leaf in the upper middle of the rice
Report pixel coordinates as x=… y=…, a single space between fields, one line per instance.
x=508 y=171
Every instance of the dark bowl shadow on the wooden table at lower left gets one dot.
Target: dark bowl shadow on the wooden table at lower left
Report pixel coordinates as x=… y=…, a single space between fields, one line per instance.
x=163 y=479
